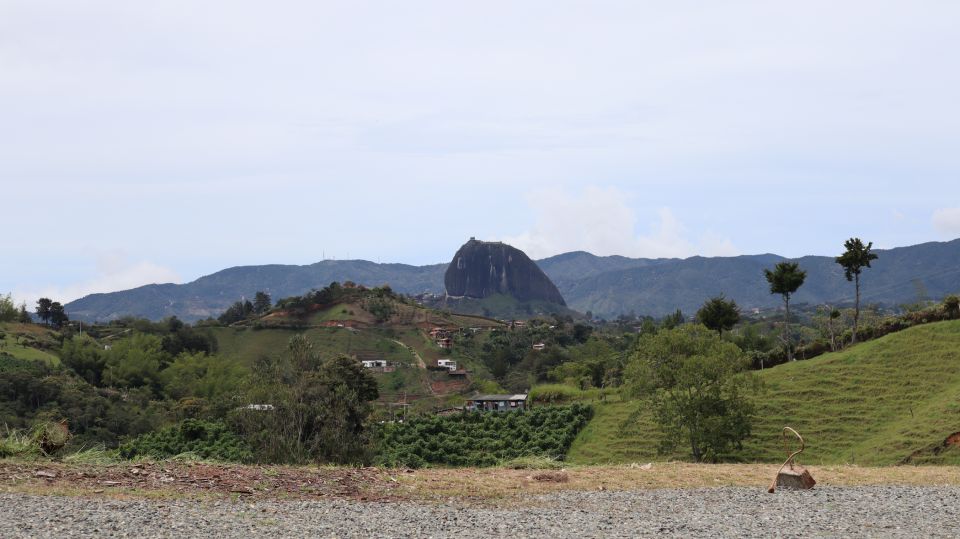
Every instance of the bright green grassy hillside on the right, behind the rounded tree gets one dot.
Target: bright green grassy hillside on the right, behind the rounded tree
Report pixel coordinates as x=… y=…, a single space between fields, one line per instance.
x=888 y=401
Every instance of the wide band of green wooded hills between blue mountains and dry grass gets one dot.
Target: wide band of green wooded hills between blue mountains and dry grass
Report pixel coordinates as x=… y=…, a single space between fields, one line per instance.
x=287 y=383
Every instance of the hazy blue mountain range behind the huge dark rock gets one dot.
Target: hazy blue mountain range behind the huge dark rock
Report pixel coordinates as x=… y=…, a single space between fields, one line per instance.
x=605 y=285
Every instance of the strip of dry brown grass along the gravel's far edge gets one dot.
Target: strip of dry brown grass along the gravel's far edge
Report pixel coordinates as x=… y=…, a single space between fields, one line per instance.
x=480 y=485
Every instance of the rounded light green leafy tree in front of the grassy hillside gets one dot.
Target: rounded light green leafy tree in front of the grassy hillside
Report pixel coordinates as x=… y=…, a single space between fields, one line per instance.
x=697 y=388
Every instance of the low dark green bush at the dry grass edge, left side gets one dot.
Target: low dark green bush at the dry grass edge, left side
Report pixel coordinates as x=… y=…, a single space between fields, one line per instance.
x=206 y=440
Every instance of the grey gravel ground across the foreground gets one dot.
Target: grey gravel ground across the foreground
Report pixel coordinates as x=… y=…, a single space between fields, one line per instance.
x=726 y=512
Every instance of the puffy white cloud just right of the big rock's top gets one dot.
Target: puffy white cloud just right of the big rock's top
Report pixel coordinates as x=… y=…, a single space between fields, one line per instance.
x=599 y=221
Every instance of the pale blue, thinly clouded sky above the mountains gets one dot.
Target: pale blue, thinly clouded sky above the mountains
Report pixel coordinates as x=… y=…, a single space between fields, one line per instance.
x=147 y=142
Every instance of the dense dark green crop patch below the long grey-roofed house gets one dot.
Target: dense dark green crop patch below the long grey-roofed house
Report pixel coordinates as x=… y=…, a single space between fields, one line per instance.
x=482 y=439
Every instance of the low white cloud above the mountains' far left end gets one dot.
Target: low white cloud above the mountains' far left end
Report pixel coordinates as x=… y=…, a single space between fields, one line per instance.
x=114 y=271
